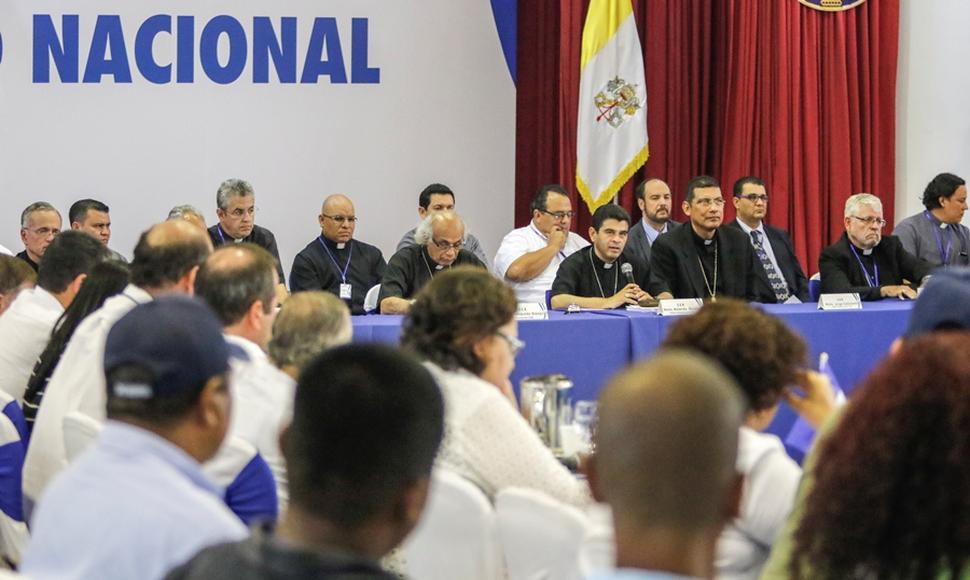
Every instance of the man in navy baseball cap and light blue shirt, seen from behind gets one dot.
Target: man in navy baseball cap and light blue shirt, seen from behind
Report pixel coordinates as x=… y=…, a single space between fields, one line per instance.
x=137 y=503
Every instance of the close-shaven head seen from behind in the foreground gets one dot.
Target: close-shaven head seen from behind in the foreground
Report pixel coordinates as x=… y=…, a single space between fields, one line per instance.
x=666 y=445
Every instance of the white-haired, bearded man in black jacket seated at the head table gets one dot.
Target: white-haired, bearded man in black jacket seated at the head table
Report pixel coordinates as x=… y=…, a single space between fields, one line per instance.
x=866 y=262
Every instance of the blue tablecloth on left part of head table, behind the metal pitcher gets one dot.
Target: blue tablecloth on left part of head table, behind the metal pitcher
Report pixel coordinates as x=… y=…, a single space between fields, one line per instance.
x=587 y=347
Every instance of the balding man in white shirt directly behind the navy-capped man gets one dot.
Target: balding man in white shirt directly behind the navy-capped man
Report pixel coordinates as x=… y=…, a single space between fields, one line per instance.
x=166 y=260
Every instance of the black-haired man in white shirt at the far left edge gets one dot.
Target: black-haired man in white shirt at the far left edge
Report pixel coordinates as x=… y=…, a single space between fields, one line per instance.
x=26 y=327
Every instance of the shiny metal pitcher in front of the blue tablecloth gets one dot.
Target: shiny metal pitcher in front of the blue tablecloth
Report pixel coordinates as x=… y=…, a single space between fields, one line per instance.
x=546 y=403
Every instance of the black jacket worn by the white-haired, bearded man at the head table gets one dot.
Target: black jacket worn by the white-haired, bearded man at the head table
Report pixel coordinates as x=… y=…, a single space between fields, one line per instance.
x=841 y=271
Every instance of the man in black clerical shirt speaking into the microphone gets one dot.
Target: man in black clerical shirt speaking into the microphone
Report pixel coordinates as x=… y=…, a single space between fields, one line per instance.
x=602 y=275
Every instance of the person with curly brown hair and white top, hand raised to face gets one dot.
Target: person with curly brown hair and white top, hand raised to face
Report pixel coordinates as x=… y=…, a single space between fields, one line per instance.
x=765 y=357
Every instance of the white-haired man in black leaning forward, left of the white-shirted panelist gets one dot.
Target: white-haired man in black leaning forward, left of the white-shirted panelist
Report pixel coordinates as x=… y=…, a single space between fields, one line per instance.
x=439 y=240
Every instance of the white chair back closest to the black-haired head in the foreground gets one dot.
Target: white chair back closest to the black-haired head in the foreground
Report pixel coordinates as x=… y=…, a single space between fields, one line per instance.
x=456 y=536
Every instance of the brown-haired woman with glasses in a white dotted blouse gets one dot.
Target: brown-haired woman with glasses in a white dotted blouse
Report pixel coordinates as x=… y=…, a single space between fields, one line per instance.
x=463 y=324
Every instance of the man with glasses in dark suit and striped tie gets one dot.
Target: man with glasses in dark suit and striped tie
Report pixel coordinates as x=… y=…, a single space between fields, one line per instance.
x=780 y=271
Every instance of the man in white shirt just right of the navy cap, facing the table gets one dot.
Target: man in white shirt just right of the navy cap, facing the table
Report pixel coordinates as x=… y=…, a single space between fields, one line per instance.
x=238 y=281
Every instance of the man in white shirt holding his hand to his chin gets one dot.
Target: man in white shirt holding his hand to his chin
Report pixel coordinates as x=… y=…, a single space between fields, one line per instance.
x=529 y=257
